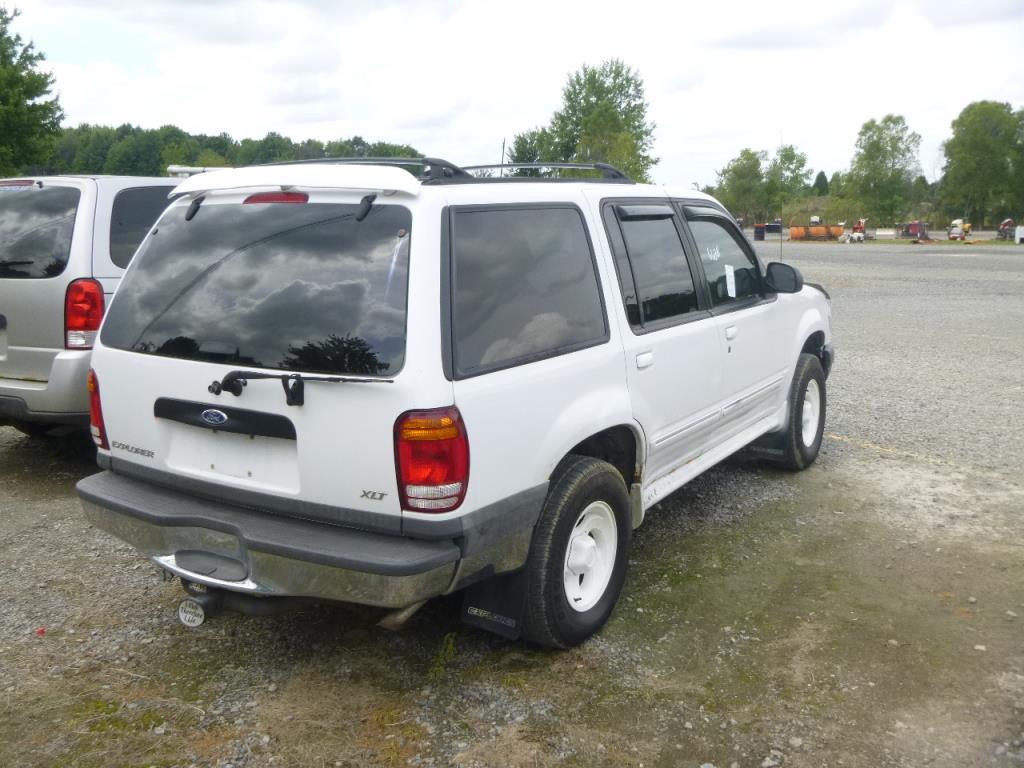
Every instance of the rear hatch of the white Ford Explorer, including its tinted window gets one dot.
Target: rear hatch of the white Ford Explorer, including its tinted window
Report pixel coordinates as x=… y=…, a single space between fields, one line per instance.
x=280 y=285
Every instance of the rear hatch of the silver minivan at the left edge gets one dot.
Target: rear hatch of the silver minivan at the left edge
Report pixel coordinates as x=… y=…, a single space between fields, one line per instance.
x=45 y=244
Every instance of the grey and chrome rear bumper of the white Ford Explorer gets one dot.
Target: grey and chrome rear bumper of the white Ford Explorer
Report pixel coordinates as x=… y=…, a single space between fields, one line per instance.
x=239 y=549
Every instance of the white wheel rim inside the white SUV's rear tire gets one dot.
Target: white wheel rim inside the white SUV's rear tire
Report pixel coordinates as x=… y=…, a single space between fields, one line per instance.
x=590 y=559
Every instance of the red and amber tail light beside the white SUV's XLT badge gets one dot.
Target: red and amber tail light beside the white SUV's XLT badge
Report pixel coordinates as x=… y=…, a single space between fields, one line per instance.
x=433 y=455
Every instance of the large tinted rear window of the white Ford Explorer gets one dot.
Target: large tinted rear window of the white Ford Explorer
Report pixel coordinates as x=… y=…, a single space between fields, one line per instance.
x=276 y=286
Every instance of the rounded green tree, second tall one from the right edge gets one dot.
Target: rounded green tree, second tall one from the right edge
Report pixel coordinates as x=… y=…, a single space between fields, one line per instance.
x=884 y=167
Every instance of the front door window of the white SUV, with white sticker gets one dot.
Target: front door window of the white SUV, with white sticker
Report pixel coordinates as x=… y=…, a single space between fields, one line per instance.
x=733 y=274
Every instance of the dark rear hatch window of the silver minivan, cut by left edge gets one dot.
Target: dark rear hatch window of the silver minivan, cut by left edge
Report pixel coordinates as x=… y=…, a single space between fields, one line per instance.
x=36 y=227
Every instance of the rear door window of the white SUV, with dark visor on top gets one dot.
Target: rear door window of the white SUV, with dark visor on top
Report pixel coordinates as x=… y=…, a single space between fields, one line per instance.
x=654 y=273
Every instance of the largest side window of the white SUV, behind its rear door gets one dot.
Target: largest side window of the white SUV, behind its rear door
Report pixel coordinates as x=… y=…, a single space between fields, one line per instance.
x=525 y=287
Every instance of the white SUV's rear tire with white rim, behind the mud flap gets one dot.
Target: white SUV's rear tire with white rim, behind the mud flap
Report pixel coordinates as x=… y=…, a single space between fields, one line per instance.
x=578 y=558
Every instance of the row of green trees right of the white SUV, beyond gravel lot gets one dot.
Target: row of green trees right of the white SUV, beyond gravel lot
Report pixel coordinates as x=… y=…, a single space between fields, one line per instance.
x=983 y=179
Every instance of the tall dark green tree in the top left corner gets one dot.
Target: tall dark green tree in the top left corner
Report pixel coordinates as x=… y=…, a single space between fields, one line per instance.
x=29 y=120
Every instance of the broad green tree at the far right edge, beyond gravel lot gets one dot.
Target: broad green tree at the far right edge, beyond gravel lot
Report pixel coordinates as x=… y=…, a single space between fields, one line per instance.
x=978 y=175
